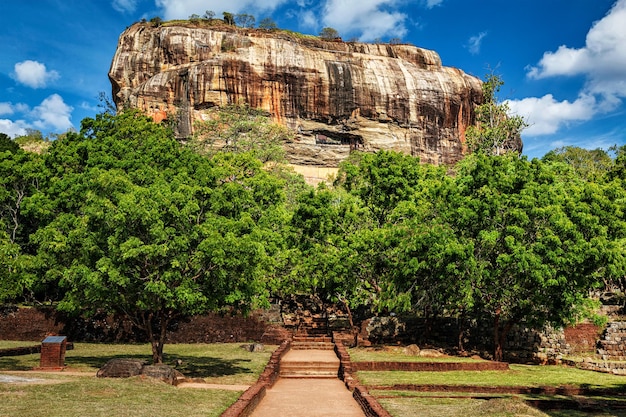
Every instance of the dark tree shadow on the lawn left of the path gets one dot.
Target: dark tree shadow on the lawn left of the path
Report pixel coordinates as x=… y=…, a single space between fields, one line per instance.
x=190 y=366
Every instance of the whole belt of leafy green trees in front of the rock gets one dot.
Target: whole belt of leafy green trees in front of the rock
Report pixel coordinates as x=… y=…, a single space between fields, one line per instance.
x=120 y=217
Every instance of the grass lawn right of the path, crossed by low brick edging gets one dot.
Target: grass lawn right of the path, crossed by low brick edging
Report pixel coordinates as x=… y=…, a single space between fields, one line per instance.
x=409 y=403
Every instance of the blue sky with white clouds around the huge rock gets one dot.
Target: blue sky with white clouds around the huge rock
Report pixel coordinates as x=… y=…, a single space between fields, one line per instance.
x=563 y=61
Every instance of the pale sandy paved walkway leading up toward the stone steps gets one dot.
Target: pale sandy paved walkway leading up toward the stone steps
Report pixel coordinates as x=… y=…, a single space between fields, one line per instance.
x=308 y=397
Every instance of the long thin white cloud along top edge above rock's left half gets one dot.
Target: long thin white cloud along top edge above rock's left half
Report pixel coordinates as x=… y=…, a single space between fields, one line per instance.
x=182 y=9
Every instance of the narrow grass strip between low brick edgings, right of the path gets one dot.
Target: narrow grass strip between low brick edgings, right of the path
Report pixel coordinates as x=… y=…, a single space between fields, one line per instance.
x=517 y=376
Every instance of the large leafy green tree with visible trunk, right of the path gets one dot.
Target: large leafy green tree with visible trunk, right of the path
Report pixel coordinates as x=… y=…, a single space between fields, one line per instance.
x=539 y=242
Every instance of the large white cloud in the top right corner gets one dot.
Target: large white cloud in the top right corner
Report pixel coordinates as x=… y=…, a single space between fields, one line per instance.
x=602 y=59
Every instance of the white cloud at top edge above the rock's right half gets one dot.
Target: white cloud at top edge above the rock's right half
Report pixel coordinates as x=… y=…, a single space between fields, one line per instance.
x=372 y=19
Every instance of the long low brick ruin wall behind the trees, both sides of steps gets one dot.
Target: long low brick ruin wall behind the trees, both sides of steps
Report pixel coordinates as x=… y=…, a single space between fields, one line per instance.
x=523 y=345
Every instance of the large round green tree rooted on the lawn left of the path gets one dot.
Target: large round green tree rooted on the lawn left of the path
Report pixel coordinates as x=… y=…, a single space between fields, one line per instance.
x=146 y=228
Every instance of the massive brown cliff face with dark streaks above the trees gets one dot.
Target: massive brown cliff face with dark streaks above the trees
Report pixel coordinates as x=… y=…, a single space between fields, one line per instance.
x=337 y=96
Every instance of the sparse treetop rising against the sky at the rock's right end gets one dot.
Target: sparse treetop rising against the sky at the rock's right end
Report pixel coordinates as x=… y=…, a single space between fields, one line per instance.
x=495 y=131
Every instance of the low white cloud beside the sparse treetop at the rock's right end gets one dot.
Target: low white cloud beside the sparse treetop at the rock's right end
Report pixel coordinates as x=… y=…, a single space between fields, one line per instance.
x=546 y=115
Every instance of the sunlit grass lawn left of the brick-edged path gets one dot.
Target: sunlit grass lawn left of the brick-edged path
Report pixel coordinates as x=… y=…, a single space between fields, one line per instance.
x=70 y=395
